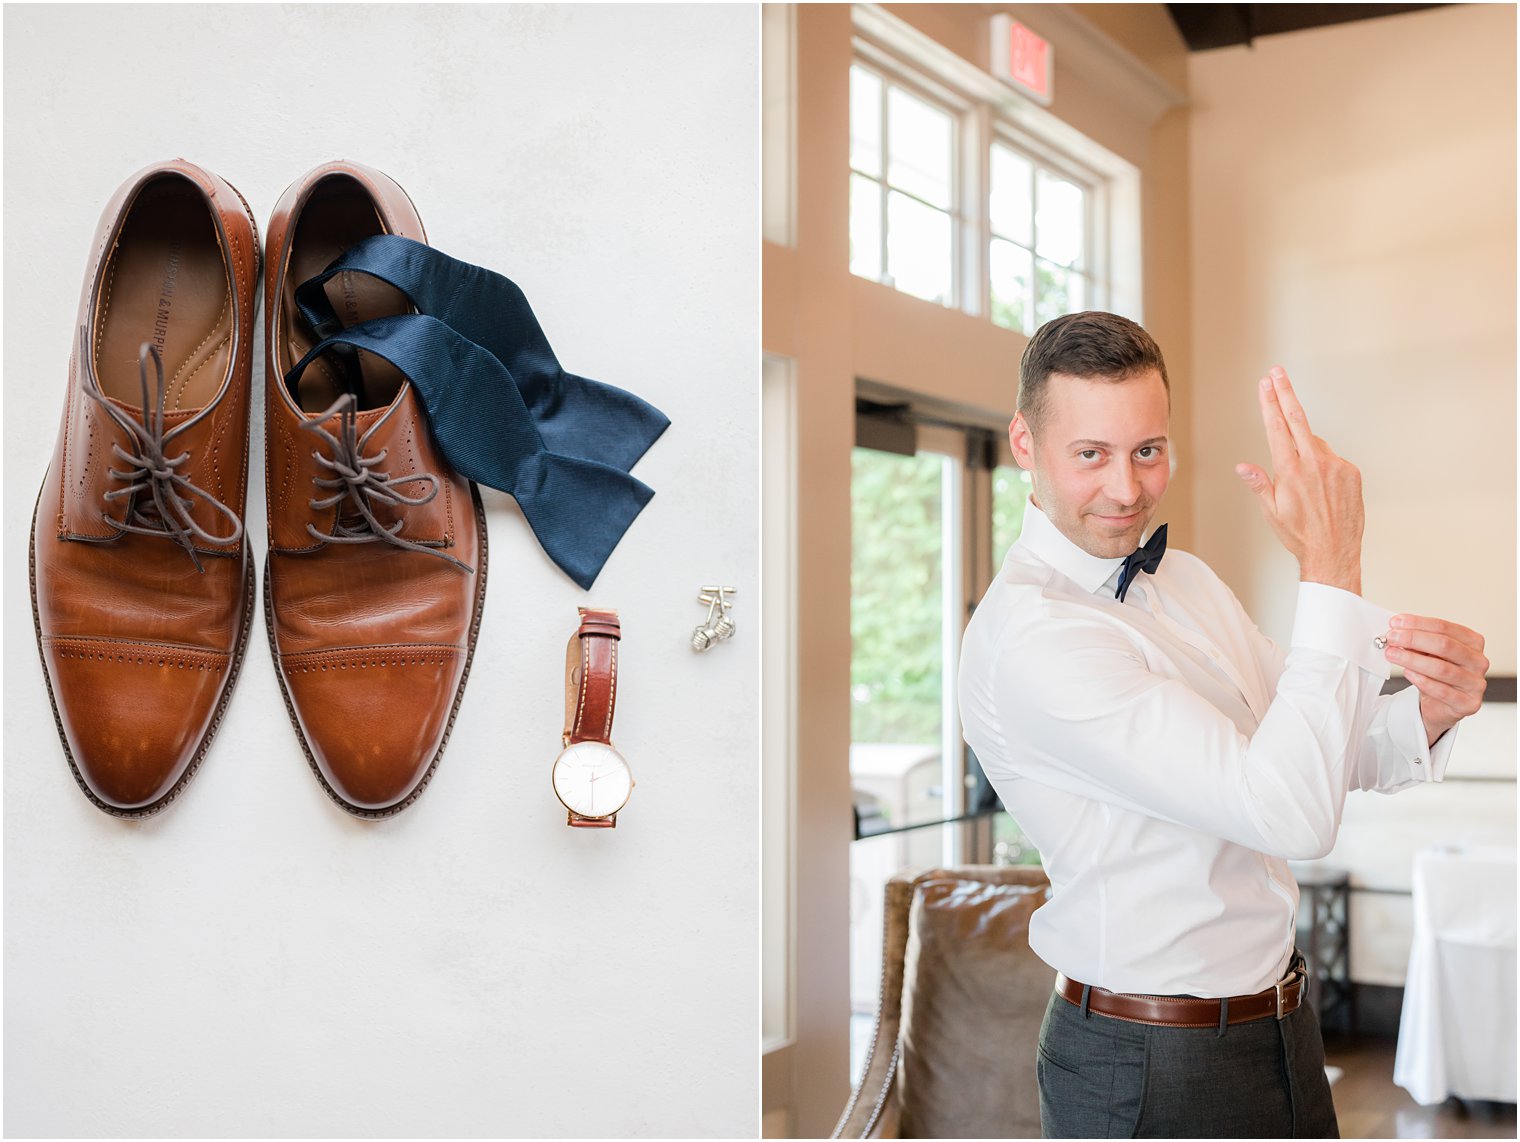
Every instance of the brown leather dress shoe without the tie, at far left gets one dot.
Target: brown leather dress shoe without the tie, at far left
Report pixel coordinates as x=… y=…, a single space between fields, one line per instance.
x=142 y=582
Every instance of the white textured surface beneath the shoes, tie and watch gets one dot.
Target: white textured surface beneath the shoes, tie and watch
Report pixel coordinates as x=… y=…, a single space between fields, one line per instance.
x=256 y=962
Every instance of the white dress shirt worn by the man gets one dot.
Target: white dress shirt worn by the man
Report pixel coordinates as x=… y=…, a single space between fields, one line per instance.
x=1168 y=760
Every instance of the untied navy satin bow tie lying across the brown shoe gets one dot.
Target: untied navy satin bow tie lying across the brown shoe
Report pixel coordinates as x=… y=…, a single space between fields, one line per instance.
x=499 y=404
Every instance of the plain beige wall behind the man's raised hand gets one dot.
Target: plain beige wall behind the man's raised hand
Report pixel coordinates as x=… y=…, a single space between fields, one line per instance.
x=1354 y=218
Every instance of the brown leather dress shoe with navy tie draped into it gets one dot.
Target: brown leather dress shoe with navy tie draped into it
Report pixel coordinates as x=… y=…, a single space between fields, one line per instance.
x=376 y=573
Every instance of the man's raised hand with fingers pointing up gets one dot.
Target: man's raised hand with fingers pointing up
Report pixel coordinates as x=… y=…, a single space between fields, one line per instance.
x=1314 y=498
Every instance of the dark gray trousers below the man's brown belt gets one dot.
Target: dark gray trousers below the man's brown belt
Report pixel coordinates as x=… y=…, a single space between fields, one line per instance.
x=1104 y=1077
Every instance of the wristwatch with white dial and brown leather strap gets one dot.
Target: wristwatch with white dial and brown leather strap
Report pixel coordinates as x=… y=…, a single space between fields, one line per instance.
x=591 y=778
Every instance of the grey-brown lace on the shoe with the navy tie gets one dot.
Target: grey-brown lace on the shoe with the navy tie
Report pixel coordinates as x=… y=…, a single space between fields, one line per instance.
x=356 y=478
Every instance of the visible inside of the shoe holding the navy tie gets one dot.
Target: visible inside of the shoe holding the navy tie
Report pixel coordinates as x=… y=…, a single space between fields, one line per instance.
x=338 y=215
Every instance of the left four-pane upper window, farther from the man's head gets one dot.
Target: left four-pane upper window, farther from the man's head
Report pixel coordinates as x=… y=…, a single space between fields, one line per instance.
x=902 y=188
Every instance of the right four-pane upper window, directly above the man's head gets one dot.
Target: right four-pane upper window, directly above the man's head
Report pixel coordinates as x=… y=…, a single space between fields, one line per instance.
x=1039 y=258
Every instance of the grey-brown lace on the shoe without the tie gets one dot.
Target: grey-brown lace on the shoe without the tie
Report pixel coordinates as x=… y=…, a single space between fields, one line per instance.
x=168 y=513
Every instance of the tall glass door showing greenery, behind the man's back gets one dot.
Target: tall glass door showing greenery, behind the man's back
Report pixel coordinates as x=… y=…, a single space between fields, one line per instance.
x=936 y=507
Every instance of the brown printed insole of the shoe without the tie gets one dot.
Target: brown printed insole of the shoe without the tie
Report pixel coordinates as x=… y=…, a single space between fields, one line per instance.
x=166 y=284
